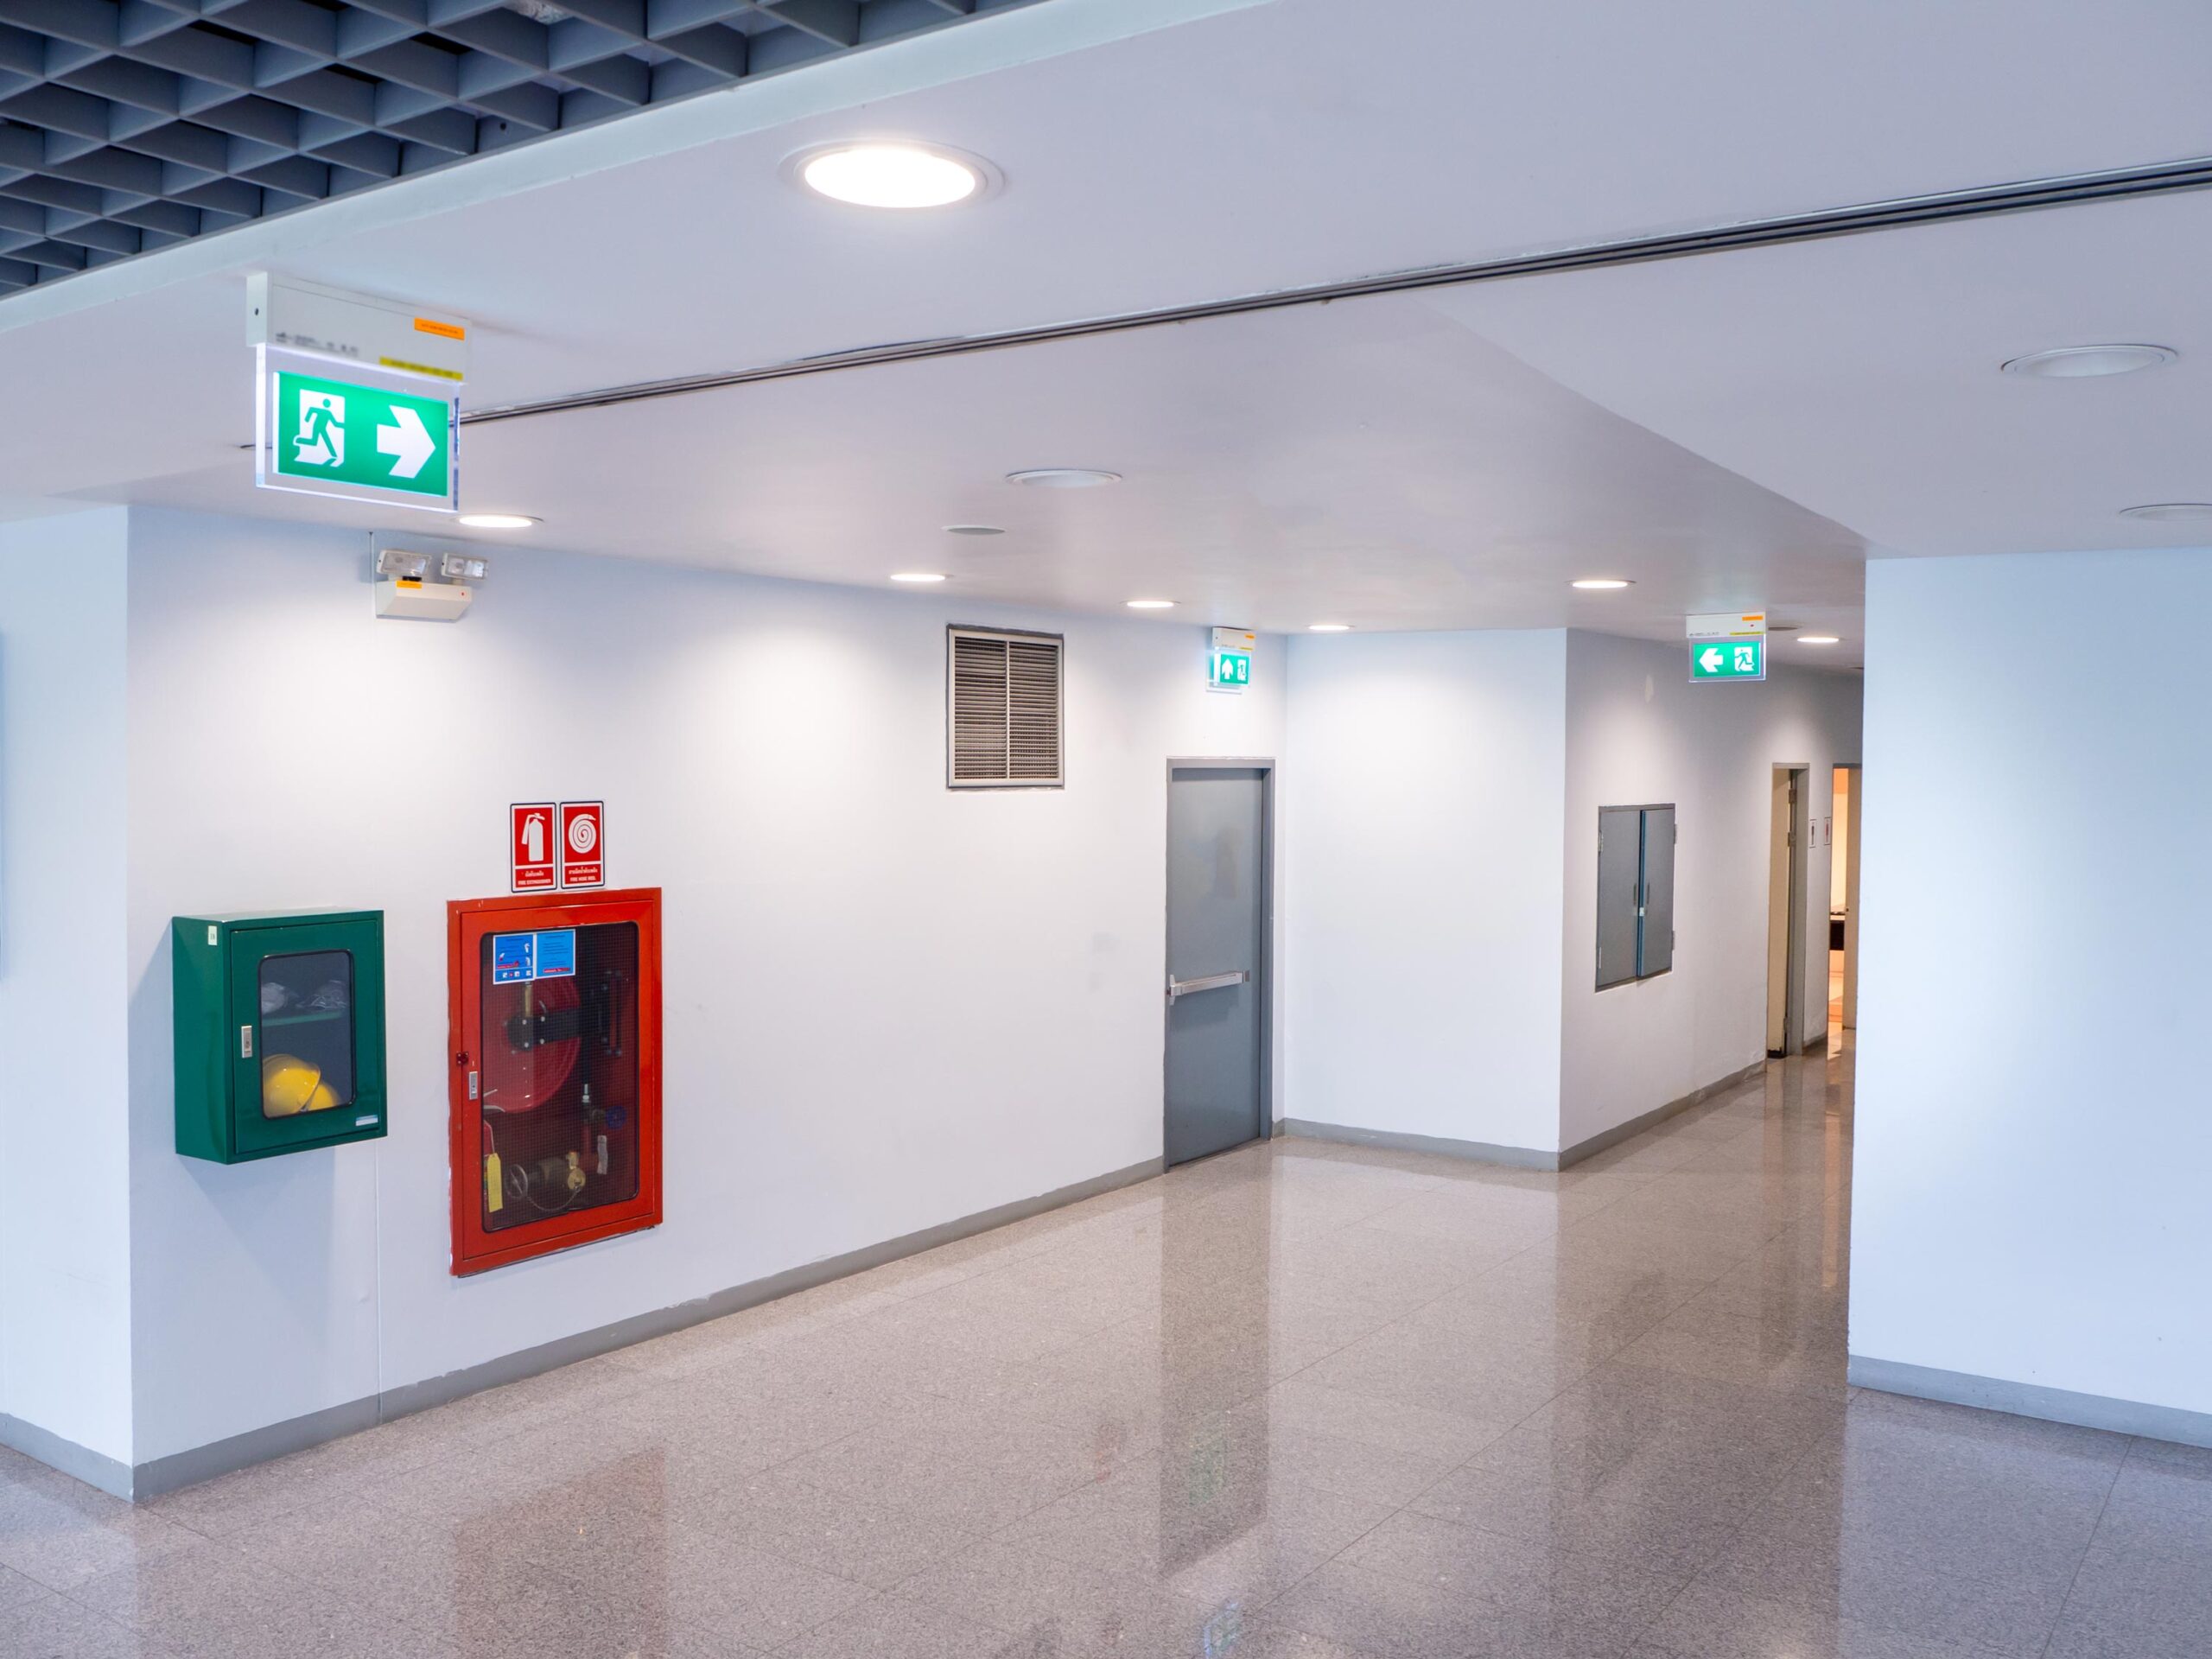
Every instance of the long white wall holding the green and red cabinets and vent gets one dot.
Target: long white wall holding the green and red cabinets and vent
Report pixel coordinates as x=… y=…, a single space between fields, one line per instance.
x=888 y=1005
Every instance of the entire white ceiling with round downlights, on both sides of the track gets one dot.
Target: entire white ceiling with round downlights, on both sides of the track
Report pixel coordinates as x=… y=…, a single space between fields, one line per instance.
x=1729 y=430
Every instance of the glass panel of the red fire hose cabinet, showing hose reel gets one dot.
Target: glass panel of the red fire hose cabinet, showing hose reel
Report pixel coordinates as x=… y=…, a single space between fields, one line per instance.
x=559 y=1072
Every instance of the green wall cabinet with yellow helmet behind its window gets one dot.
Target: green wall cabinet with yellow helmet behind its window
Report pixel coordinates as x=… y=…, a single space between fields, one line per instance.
x=280 y=1032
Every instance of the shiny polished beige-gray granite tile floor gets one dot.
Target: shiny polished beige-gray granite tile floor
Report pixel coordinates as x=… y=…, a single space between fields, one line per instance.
x=1293 y=1401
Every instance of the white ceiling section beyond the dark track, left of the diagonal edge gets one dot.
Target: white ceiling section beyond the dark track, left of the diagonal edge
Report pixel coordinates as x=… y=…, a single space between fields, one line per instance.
x=1368 y=461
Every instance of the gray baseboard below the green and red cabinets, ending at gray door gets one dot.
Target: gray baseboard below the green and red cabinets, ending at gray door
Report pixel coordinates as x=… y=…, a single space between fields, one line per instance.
x=333 y=1423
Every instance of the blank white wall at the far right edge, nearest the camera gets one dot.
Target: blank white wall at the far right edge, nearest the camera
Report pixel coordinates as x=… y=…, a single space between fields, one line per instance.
x=2034 y=1134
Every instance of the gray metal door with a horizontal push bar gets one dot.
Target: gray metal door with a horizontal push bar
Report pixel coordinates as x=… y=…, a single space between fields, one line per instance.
x=1218 y=959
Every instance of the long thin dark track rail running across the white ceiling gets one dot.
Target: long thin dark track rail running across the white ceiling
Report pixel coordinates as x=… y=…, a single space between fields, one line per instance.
x=1638 y=251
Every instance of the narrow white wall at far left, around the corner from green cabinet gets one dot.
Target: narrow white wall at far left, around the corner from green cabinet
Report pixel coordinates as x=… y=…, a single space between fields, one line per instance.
x=65 y=1176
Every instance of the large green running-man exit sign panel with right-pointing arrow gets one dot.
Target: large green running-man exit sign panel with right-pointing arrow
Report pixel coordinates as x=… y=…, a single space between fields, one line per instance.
x=353 y=439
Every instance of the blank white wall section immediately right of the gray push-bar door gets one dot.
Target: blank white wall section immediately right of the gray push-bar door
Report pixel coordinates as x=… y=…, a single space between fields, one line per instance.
x=1423 y=884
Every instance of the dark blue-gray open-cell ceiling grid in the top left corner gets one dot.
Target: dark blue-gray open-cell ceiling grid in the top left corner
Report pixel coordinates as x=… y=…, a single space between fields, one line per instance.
x=132 y=125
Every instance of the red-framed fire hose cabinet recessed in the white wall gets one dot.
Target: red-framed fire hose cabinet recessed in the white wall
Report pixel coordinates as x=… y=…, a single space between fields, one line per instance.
x=556 y=1081
